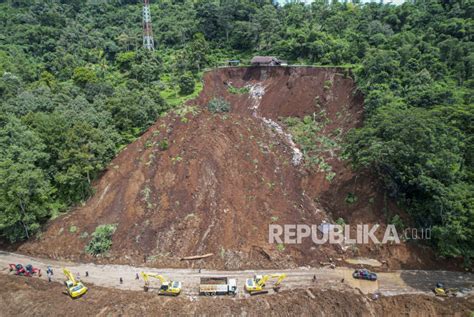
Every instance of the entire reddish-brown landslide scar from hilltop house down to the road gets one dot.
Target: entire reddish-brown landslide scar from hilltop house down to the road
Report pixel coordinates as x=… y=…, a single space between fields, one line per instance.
x=199 y=182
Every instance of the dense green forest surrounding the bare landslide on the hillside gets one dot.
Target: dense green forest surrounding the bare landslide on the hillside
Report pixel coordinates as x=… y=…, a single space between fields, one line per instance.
x=76 y=86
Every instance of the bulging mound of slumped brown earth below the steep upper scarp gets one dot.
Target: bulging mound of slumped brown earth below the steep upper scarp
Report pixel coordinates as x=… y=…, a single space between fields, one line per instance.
x=215 y=189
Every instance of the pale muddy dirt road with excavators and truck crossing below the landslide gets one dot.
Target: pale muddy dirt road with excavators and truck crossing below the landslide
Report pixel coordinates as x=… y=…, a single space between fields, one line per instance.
x=392 y=283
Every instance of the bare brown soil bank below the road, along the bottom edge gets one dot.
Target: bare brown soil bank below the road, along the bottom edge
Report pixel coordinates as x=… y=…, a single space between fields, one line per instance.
x=34 y=297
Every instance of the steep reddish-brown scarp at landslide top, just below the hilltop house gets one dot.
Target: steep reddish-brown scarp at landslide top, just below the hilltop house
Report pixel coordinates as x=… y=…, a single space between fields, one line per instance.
x=288 y=91
